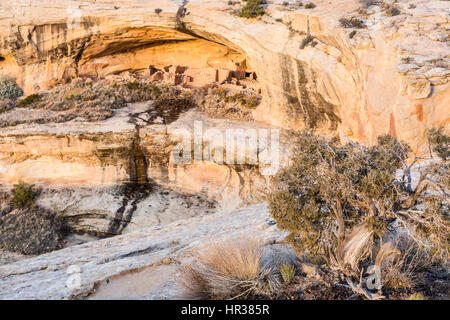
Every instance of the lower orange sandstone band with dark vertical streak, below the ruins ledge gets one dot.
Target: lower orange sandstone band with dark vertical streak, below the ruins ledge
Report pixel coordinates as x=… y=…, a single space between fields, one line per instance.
x=120 y=151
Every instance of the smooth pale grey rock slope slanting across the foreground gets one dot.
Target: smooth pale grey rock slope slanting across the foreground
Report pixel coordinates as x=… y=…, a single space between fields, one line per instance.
x=46 y=276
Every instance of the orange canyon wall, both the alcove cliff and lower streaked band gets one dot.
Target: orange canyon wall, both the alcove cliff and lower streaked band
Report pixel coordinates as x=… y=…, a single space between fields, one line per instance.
x=391 y=76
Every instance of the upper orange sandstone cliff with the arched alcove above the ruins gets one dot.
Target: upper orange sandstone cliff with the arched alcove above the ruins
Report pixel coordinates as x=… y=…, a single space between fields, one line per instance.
x=391 y=77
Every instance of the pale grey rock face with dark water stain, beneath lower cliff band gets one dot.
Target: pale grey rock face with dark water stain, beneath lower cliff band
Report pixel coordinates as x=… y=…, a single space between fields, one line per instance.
x=105 y=212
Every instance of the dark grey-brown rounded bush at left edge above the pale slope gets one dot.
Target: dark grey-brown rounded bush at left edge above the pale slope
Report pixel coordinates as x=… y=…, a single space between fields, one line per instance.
x=30 y=230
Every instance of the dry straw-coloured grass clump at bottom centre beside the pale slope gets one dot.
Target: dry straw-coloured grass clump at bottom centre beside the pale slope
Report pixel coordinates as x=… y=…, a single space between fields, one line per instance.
x=229 y=270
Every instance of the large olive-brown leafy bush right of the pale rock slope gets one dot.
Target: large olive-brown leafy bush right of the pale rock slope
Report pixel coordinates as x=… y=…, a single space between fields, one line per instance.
x=330 y=187
